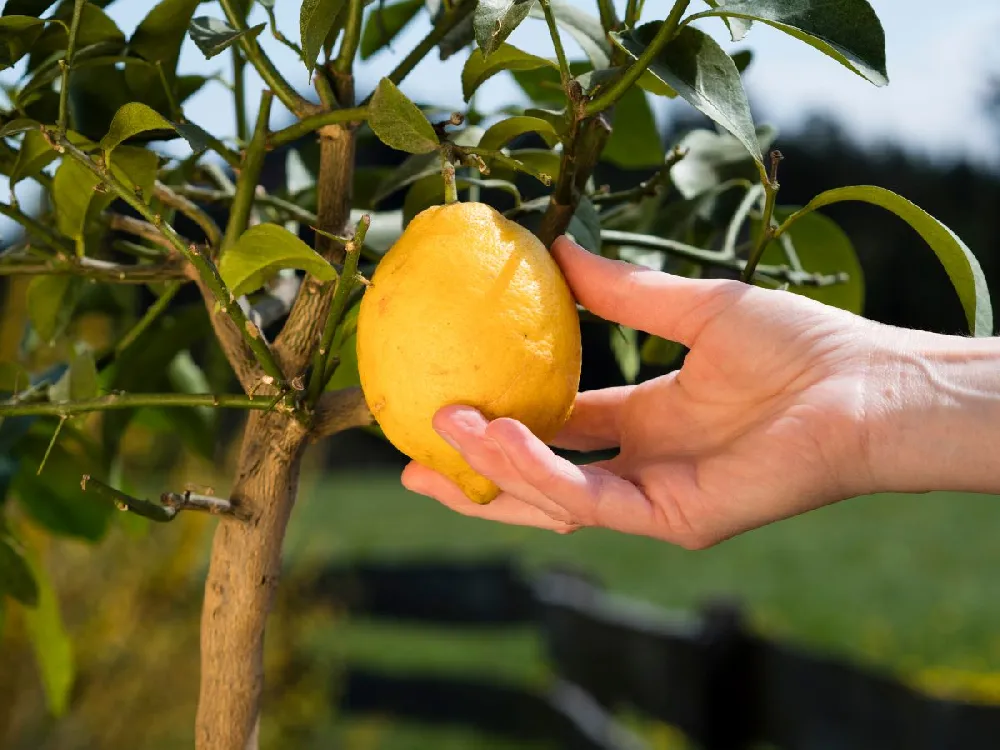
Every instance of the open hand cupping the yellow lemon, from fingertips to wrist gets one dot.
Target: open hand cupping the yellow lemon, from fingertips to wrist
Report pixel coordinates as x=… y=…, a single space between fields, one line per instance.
x=766 y=419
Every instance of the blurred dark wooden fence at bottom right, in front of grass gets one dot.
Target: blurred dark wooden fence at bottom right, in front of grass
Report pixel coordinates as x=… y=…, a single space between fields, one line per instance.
x=726 y=687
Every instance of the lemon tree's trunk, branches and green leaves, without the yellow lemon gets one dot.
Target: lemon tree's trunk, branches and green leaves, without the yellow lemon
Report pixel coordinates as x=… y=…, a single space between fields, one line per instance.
x=129 y=231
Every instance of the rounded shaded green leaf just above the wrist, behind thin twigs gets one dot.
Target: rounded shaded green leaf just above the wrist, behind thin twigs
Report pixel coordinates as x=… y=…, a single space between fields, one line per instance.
x=822 y=247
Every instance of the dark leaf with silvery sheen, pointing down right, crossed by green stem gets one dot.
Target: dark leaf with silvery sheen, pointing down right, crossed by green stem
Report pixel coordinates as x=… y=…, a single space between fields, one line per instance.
x=697 y=68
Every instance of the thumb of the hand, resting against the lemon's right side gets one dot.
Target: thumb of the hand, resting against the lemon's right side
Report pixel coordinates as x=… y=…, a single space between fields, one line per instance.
x=672 y=307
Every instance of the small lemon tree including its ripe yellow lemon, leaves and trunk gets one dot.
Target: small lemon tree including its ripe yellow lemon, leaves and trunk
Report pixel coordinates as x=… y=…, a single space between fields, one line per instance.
x=169 y=274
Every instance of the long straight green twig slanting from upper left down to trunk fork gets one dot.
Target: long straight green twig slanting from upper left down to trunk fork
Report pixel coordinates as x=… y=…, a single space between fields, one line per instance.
x=204 y=267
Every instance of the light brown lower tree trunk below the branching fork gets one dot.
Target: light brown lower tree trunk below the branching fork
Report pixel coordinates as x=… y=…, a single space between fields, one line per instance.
x=242 y=577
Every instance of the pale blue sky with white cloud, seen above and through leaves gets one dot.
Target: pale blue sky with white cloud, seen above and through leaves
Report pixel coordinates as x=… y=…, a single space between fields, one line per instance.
x=939 y=55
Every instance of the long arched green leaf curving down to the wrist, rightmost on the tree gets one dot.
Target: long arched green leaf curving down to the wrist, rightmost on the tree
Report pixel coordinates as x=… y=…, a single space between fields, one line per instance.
x=960 y=264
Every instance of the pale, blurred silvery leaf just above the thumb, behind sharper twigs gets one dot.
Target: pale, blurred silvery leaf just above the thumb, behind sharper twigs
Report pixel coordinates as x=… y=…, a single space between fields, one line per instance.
x=712 y=158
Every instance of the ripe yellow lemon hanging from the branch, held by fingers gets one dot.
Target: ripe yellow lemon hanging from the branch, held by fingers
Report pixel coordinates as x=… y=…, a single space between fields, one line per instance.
x=467 y=307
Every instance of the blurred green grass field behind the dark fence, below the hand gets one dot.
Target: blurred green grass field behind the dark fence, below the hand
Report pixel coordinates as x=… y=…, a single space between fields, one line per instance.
x=906 y=583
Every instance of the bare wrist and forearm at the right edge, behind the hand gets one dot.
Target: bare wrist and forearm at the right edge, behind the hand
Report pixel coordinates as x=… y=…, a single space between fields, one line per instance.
x=934 y=405
